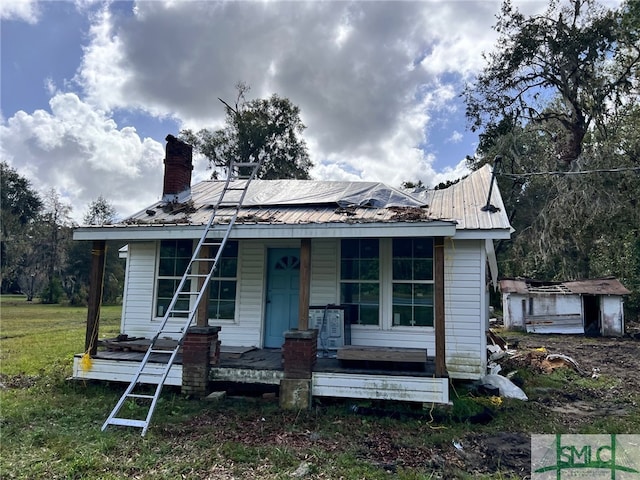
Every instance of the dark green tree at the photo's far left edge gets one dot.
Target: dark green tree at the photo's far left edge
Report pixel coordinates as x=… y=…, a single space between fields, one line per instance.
x=19 y=207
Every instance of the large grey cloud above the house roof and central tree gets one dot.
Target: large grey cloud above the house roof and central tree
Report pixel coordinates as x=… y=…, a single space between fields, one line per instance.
x=351 y=67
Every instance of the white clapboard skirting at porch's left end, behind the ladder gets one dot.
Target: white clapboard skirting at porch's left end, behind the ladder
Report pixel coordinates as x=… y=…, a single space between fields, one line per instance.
x=123 y=371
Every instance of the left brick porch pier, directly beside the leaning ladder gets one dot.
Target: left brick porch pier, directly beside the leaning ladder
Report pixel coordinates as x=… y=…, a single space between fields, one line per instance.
x=199 y=348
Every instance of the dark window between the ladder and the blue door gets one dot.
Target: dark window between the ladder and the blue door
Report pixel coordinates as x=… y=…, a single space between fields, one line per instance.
x=222 y=289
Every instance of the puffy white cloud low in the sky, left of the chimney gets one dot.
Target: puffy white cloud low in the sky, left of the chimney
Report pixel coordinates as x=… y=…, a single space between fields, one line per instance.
x=82 y=154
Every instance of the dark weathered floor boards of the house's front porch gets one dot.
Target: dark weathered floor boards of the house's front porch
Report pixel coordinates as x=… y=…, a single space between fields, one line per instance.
x=271 y=359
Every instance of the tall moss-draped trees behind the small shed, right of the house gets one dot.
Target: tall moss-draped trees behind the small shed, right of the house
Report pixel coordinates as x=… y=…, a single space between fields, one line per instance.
x=558 y=101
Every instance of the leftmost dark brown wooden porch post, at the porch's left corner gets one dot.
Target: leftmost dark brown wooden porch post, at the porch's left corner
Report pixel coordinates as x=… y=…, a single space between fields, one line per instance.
x=96 y=284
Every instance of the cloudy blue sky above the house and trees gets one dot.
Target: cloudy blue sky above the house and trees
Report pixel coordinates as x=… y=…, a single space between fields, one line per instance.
x=90 y=89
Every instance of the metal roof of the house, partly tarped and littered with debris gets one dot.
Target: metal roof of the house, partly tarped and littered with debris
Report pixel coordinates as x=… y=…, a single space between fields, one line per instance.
x=306 y=202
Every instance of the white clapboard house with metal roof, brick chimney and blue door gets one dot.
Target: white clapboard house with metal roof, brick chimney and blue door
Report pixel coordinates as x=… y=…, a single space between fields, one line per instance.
x=396 y=268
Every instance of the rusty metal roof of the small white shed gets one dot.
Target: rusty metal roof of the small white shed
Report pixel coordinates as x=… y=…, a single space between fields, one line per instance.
x=596 y=286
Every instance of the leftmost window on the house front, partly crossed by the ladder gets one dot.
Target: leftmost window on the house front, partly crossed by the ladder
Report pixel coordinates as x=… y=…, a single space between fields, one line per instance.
x=173 y=262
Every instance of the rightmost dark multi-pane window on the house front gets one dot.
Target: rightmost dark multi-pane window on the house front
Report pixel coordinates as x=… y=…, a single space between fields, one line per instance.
x=412 y=282
